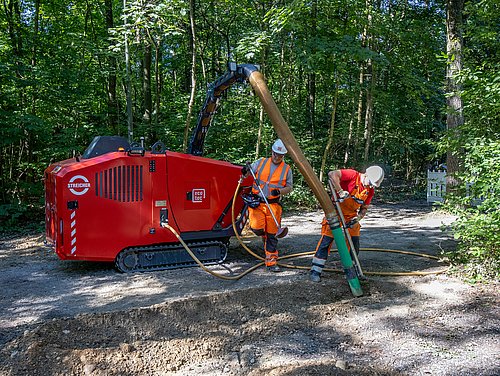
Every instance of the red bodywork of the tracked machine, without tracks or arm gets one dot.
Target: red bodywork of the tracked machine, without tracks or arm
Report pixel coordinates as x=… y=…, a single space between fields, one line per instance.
x=99 y=206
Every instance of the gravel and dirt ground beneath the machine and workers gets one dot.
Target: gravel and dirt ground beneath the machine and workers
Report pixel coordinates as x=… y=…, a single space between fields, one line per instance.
x=76 y=318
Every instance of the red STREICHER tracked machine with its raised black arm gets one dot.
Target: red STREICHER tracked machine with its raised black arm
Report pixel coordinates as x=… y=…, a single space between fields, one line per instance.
x=109 y=204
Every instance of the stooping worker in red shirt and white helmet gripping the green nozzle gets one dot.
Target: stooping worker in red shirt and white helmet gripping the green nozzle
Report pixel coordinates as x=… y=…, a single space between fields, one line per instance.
x=355 y=192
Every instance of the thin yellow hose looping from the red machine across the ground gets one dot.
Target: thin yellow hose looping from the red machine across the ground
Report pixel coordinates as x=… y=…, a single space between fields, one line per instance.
x=251 y=269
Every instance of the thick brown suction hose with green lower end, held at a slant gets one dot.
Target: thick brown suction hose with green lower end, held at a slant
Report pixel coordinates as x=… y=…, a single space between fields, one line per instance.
x=258 y=83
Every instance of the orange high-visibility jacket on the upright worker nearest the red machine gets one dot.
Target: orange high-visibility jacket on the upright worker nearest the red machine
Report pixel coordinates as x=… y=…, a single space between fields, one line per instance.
x=268 y=182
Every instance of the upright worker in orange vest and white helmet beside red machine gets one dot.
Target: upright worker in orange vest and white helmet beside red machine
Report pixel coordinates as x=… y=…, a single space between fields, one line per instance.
x=274 y=179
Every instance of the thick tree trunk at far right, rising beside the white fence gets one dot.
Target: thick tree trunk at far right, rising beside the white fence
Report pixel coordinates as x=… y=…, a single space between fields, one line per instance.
x=454 y=118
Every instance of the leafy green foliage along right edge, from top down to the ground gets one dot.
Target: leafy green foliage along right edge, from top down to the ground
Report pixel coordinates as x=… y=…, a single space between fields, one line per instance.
x=477 y=200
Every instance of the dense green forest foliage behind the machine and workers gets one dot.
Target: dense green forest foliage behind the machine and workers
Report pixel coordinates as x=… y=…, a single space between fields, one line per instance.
x=55 y=78
